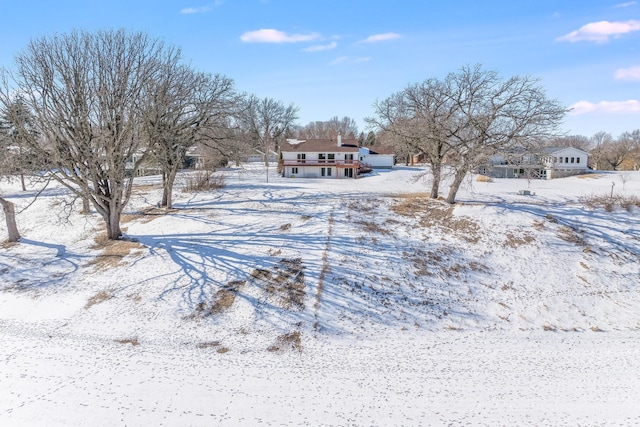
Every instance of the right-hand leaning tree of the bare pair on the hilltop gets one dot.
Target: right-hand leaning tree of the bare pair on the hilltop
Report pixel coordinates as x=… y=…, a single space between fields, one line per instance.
x=493 y=114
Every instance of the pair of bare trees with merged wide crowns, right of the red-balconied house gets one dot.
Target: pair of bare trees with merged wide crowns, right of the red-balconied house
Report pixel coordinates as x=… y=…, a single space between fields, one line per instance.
x=467 y=117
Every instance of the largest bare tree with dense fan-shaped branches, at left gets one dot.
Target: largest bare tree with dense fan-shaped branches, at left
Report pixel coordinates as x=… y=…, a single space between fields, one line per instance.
x=85 y=91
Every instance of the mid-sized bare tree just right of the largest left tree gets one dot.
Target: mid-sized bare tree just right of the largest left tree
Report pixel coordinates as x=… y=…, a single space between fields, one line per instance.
x=181 y=105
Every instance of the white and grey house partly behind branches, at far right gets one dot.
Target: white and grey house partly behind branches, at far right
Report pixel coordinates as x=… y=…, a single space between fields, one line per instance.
x=549 y=163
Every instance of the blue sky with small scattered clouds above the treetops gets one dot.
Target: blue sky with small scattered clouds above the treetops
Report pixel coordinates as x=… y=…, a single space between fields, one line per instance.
x=335 y=58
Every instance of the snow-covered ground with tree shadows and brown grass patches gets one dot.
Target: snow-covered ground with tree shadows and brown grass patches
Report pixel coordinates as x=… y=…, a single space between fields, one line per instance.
x=317 y=302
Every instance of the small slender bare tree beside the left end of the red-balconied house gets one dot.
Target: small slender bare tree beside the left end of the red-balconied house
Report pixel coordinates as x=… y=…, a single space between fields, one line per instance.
x=267 y=120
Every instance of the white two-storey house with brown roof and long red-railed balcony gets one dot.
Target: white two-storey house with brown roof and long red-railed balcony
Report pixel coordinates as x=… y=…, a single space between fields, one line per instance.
x=330 y=158
